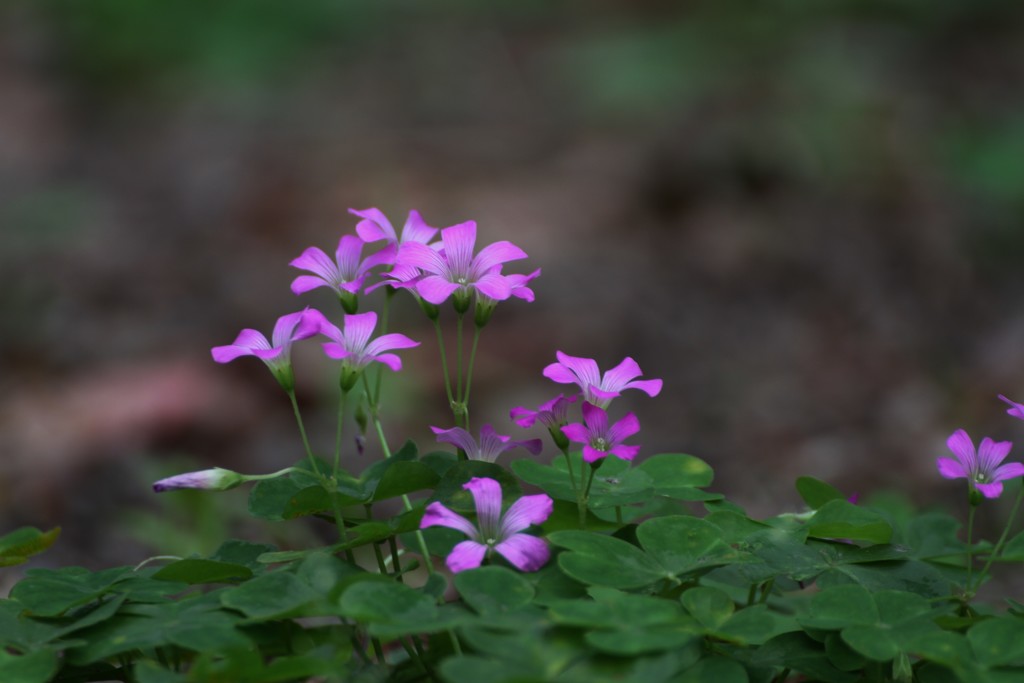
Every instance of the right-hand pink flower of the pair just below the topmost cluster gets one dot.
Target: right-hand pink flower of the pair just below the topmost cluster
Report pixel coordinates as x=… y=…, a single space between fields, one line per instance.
x=354 y=349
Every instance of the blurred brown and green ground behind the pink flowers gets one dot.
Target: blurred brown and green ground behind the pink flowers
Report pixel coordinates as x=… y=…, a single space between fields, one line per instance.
x=804 y=217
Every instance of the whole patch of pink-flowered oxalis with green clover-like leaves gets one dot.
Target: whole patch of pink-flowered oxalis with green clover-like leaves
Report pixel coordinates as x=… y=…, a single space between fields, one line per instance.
x=578 y=562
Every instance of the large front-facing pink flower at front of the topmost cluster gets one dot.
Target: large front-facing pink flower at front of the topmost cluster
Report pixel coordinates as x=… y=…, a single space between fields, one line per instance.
x=454 y=270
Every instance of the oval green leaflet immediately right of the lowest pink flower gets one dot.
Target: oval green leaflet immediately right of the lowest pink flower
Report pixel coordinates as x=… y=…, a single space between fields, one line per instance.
x=603 y=561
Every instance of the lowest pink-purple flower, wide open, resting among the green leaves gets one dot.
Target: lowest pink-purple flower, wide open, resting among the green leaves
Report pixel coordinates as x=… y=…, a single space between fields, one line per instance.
x=495 y=532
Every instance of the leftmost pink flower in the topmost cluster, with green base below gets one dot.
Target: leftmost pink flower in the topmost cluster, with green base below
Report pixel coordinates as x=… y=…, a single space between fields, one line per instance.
x=346 y=275
